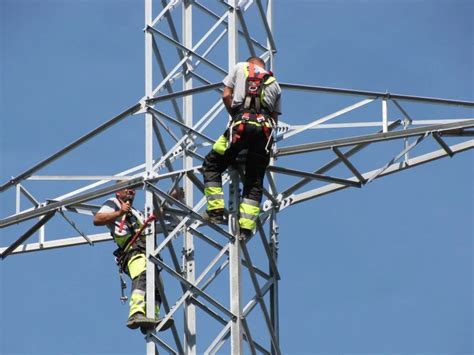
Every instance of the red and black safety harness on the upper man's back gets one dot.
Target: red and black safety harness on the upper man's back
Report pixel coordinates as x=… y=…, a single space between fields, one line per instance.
x=253 y=110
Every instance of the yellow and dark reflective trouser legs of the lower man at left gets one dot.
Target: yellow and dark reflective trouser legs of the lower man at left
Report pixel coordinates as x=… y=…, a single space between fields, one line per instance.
x=137 y=271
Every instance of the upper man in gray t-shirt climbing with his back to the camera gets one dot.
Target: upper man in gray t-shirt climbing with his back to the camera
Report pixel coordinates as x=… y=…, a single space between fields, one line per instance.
x=252 y=97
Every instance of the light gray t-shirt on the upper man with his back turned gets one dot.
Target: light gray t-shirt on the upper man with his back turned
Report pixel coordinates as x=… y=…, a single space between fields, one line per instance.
x=236 y=81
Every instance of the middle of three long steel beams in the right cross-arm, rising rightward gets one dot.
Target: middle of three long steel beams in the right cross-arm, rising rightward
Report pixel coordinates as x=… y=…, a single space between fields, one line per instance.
x=371 y=138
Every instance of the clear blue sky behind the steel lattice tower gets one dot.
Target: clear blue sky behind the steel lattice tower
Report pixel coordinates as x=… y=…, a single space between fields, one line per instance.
x=387 y=269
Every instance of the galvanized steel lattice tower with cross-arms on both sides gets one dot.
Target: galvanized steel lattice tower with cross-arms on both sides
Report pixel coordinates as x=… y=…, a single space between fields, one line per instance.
x=182 y=143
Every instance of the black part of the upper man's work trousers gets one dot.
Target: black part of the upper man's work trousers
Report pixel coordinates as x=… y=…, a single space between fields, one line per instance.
x=256 y=141
